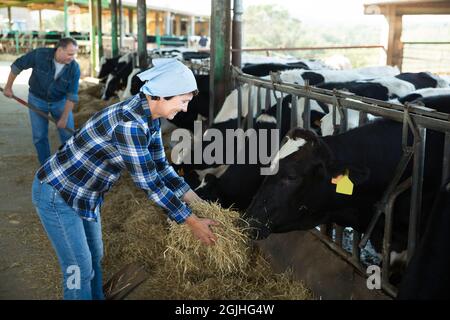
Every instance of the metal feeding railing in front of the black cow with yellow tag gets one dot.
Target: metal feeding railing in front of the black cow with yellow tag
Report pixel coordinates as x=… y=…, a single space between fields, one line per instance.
x=413 y=118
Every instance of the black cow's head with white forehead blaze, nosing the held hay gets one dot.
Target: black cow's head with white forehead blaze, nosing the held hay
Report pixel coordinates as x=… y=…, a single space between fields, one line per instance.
x=299 y=195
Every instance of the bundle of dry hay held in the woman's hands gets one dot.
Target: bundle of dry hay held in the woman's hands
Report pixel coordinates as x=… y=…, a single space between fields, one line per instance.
x=229 y=255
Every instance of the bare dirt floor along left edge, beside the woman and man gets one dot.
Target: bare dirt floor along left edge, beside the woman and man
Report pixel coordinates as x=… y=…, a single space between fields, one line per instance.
x=26 y=258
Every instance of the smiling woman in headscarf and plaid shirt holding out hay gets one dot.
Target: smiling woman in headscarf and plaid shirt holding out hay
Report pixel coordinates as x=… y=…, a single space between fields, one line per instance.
x=68 y=189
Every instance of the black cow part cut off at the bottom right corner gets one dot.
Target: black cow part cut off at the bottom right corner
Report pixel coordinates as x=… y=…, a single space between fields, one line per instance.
x=427 y=275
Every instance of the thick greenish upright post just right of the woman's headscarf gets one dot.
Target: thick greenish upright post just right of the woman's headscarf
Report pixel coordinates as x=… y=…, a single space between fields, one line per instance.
x=220 y=55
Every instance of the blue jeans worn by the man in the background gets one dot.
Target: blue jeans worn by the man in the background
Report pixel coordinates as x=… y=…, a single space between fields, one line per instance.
x=39 y=125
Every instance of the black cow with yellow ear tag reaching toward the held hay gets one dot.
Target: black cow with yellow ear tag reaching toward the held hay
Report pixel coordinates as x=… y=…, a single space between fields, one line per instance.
x=301 y=196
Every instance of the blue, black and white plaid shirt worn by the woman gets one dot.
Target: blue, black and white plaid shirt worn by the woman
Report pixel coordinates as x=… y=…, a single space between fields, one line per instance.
x=122 y=136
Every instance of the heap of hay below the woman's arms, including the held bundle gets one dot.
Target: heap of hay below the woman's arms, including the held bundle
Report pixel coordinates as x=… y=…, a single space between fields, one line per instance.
x=136 y=230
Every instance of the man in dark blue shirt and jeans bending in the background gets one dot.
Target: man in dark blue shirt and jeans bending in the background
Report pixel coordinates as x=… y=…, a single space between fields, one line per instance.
x=53 y=89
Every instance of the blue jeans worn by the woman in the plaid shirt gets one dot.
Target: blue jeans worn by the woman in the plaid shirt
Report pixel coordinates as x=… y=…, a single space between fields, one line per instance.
x=77 y=242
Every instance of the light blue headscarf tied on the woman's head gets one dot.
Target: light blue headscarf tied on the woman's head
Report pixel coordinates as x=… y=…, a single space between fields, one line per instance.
x=168 y=77
